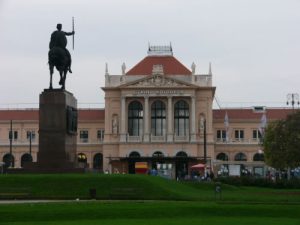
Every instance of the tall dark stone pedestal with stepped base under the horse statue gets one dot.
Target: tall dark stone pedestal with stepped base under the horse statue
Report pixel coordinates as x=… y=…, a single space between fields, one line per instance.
x=57 y=133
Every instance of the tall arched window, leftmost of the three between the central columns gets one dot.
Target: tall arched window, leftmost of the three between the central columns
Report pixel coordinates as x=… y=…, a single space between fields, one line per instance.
x=135 y=119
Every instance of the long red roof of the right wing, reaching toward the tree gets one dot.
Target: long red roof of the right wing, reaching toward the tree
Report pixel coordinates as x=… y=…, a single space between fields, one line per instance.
x=248 y=114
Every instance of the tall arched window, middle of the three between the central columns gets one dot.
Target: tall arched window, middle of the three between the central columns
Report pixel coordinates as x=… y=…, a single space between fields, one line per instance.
x=158 y=118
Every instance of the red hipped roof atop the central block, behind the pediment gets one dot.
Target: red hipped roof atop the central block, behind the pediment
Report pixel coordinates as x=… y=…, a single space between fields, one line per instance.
x=171 y=66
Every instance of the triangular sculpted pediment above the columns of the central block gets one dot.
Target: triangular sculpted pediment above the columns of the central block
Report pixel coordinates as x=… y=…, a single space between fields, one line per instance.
x=156 y=81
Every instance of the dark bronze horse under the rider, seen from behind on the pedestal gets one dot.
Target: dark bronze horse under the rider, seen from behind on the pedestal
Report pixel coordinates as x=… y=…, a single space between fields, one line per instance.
x=58 y=57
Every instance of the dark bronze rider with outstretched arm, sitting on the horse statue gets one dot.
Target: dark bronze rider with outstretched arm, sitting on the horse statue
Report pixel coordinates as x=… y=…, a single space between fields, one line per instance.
x=58 y=39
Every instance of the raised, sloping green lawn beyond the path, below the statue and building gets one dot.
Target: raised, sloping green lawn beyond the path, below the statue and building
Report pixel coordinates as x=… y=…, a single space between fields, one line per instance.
x=136 y=187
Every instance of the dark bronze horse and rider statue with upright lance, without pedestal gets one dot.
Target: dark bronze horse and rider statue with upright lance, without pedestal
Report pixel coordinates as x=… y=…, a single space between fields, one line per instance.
x=58 y=55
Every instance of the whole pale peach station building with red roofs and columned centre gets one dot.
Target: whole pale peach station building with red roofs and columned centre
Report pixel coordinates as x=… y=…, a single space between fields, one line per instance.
x=158 y=116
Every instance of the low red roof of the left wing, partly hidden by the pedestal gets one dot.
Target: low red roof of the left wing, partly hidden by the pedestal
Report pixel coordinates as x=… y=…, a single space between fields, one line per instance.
x=33 y=114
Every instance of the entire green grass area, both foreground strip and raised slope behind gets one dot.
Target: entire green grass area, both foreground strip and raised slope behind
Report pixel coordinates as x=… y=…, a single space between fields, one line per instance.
x=152 y=202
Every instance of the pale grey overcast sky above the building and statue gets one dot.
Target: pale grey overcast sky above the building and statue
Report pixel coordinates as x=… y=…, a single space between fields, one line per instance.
x=253 y=45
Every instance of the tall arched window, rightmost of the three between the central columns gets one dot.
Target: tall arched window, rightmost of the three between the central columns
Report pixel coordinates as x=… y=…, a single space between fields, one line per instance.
x=181 y=118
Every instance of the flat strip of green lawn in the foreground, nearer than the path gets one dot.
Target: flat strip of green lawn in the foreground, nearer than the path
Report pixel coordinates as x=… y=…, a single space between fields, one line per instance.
x=155 y=212
